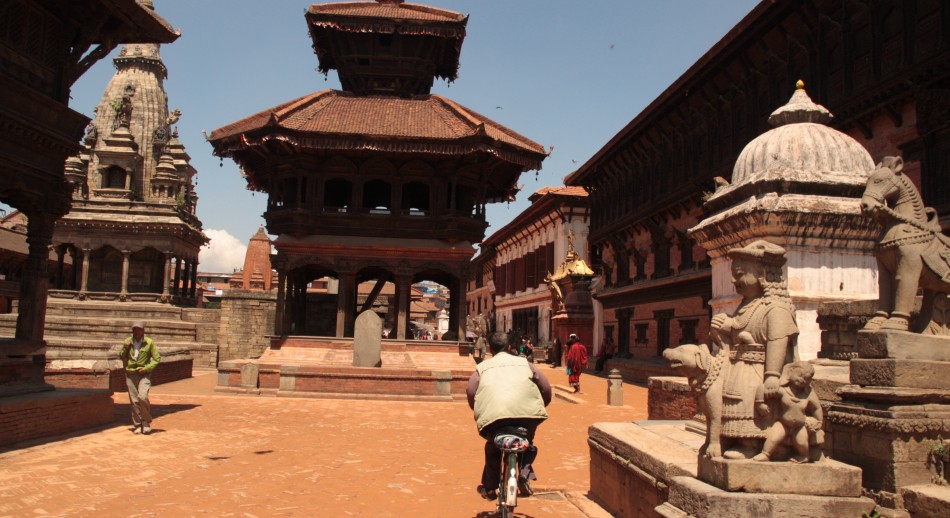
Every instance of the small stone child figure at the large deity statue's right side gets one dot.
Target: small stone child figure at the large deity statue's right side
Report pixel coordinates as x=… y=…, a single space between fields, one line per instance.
x=796 y=417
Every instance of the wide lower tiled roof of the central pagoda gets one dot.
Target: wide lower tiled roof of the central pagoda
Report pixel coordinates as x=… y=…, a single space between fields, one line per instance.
x=332 y=119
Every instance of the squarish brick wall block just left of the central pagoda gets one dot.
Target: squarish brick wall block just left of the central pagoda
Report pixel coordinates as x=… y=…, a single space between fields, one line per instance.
x=246 y=318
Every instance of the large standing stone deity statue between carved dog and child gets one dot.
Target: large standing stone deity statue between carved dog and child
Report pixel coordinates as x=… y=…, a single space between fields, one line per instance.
x=759 y=339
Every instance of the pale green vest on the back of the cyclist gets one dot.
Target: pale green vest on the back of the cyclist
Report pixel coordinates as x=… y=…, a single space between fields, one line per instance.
x=505 y=390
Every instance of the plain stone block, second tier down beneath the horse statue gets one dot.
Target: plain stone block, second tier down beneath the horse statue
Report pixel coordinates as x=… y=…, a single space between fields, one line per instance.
x=900 y=373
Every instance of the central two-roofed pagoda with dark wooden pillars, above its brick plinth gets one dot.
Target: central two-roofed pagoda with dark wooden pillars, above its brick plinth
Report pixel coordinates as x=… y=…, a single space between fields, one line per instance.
x=381 y=181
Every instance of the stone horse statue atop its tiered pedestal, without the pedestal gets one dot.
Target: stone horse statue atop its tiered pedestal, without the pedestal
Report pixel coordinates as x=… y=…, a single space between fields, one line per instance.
x=912 y=251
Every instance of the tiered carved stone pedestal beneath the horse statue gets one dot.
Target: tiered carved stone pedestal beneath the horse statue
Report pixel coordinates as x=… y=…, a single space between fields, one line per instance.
x=898 y=405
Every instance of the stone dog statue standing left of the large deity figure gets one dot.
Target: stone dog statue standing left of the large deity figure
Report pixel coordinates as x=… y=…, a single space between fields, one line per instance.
x=705 y=375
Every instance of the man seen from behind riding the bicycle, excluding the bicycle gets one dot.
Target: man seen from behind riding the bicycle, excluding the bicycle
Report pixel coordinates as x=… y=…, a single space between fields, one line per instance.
x=506 y=391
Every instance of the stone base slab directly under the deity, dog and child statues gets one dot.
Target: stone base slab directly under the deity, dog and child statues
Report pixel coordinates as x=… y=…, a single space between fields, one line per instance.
x=823 y=478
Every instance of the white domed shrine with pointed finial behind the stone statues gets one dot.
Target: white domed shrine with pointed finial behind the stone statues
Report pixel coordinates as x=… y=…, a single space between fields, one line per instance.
x=797 y=185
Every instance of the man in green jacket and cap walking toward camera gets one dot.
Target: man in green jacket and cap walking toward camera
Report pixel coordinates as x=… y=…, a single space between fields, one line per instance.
x=139 y=357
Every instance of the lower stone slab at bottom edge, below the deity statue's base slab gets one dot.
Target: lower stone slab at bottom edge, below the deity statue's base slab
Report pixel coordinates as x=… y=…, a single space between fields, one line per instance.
x=698 y=499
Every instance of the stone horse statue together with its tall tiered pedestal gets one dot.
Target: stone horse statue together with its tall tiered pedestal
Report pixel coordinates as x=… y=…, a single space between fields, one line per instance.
x=897 y=409
